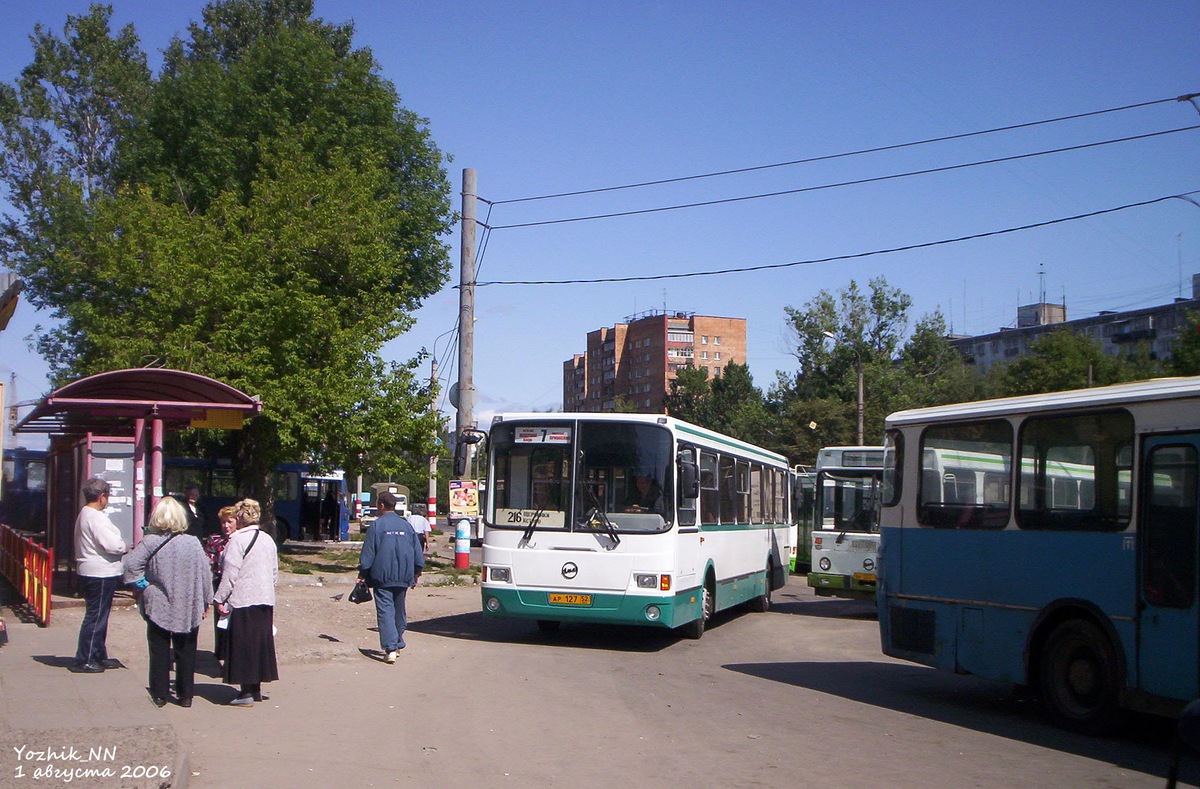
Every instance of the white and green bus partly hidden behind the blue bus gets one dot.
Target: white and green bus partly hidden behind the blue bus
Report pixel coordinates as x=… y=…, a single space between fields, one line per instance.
x=845 y=531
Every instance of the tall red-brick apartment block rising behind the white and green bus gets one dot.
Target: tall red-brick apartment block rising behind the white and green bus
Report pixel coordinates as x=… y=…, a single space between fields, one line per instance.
x=635 y=362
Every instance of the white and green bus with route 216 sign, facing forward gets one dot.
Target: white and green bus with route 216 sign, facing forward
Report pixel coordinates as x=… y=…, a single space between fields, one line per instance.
x=629 y=519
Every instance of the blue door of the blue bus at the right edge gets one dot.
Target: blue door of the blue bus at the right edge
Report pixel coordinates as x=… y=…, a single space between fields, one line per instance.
x=1169 y=646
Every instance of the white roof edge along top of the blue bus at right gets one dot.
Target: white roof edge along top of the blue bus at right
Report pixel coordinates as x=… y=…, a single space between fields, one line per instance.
x=1159 y=389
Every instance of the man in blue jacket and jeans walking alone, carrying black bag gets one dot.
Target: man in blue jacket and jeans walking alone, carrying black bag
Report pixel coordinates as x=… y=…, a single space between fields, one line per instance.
x=392 y=562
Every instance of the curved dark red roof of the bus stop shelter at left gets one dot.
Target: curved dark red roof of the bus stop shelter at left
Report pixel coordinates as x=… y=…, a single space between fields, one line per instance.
x=112 y=401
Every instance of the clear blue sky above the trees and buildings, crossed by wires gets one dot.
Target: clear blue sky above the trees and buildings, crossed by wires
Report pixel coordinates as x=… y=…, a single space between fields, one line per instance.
x=547 y=98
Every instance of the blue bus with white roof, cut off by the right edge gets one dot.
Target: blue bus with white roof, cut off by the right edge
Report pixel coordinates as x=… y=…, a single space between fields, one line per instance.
x=1051 y=541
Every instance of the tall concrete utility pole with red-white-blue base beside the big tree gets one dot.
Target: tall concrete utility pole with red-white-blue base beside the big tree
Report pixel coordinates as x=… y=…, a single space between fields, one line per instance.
x=466 y=415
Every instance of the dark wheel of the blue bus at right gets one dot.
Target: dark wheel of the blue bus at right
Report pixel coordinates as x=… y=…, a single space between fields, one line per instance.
x=1079 y=678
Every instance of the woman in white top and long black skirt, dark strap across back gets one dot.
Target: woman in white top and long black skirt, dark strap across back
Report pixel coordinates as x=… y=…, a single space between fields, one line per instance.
x=249 y=570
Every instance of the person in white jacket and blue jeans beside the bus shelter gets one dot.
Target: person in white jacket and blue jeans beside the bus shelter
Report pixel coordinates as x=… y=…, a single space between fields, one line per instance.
x=99 y=551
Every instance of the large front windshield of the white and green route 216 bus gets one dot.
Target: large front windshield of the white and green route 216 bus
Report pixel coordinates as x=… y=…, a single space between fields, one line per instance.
x=592 y=477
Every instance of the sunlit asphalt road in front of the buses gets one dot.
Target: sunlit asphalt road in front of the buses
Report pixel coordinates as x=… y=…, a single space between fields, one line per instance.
x=797 y=697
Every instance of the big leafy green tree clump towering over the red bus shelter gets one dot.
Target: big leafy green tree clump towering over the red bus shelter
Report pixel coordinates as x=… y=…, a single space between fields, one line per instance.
x=265 y=213
